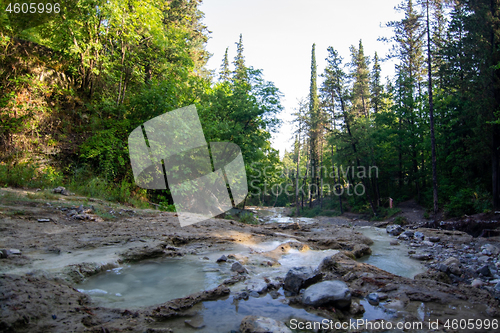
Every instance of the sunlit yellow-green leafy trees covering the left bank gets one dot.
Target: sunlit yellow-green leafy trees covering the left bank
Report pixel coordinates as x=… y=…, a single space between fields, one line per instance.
x=75 y=83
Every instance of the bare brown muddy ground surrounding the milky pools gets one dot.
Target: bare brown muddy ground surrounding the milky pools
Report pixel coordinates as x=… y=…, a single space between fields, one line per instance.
x=43 y=226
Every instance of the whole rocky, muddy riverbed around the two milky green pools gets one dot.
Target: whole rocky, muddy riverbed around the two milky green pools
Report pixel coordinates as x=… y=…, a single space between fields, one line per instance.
x=50 y=246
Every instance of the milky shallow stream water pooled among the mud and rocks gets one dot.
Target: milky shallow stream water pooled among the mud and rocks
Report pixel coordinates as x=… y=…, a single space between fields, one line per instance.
x=156 y=281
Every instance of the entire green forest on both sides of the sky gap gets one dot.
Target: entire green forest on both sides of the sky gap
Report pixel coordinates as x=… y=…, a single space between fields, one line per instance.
x=74 y=84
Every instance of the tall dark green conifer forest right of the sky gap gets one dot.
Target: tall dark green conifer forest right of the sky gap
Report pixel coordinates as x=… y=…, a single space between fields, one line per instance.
x=430 y=133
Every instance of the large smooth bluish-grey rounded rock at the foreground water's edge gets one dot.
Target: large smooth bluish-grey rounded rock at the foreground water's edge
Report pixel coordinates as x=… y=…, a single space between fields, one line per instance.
x=326 y=292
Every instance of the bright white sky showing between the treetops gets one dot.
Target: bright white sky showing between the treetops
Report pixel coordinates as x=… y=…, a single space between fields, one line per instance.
x=278 y=37
